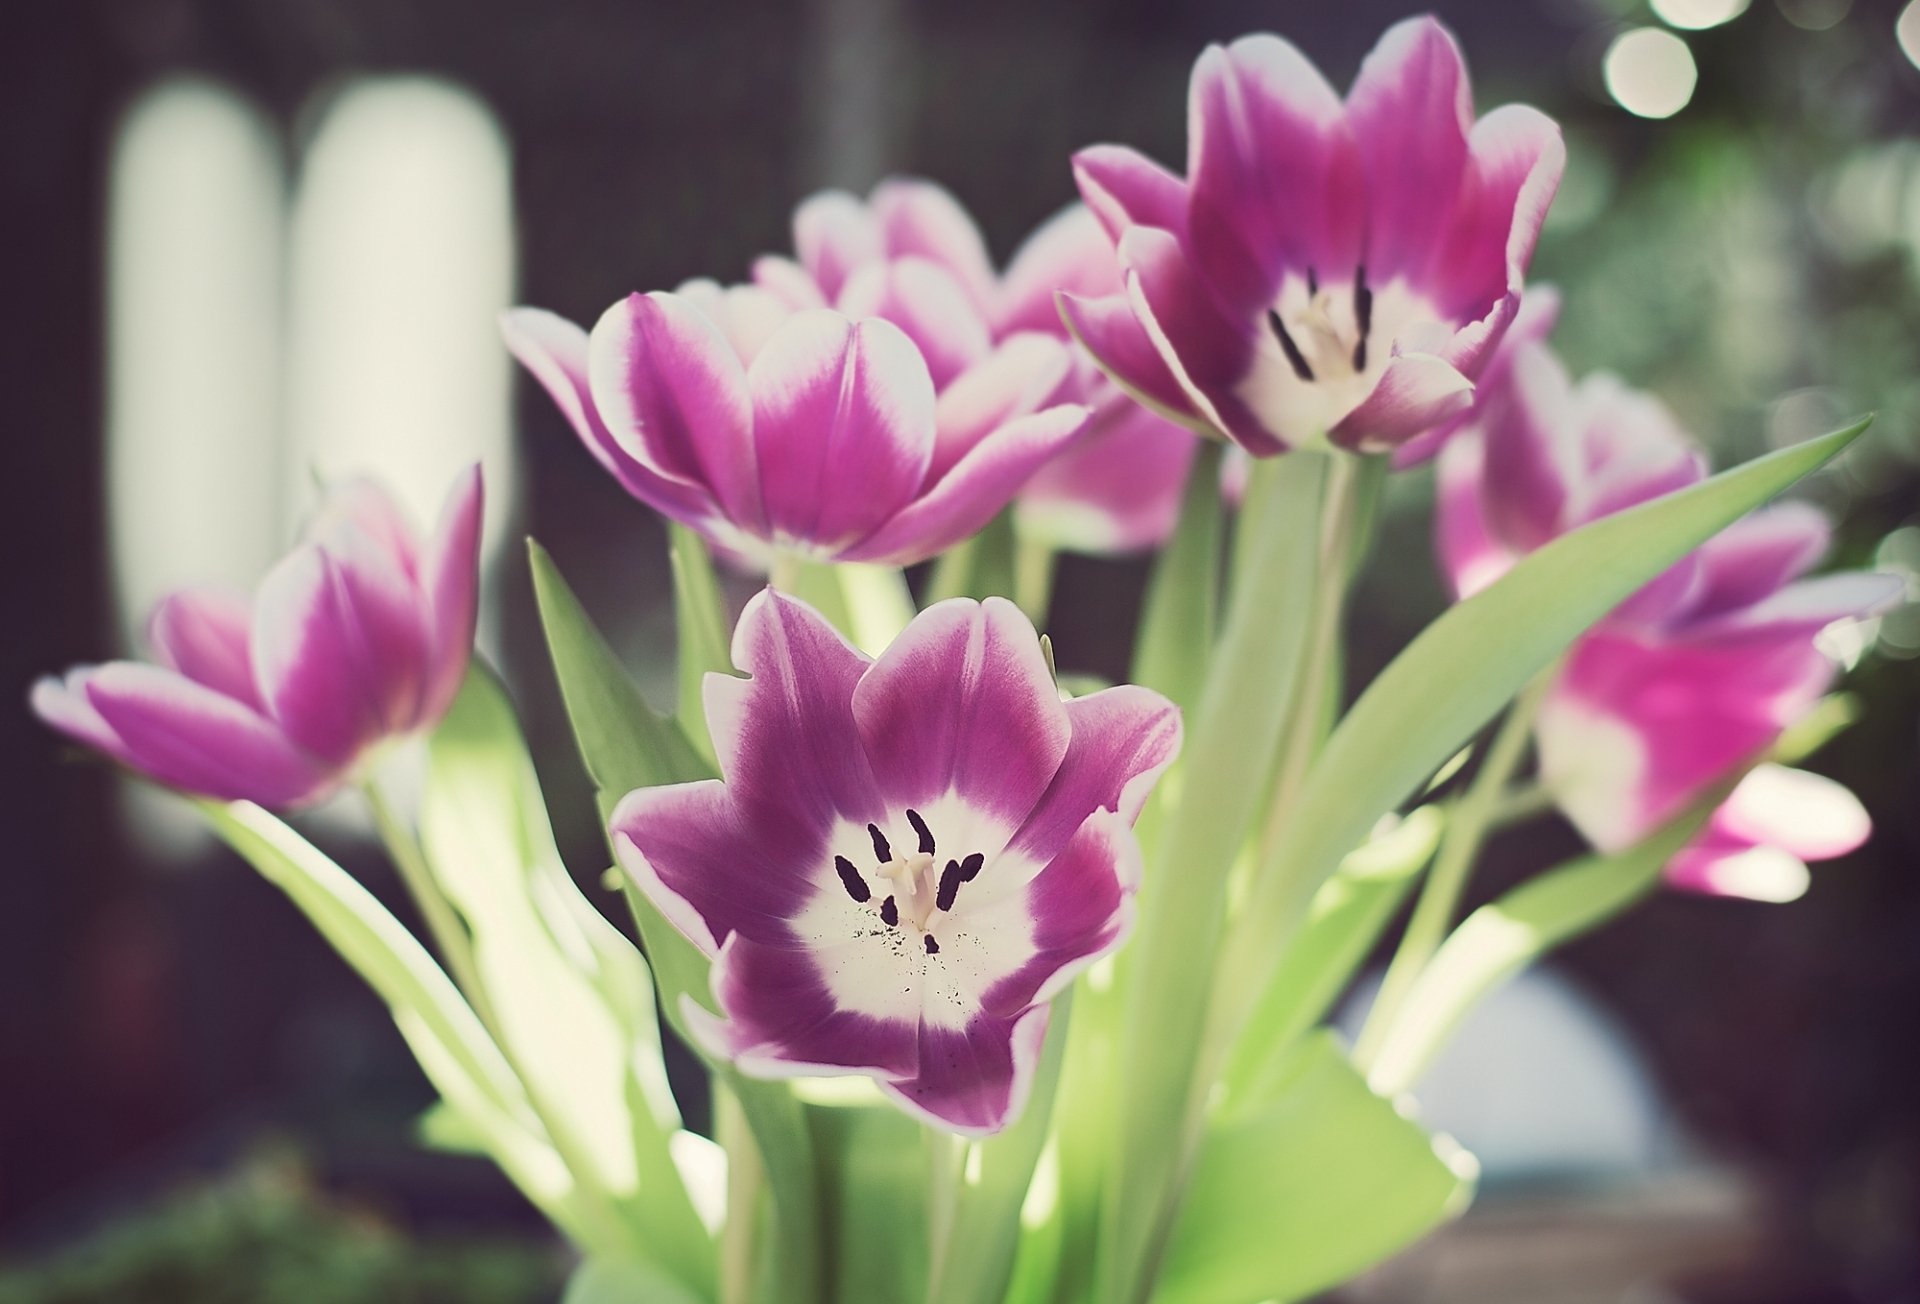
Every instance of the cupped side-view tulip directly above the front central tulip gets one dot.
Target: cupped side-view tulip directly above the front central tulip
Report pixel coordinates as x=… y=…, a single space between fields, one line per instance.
x=819 y=437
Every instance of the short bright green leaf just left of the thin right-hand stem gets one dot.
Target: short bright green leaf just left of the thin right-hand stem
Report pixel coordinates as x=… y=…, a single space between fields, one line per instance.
x=1343 y=925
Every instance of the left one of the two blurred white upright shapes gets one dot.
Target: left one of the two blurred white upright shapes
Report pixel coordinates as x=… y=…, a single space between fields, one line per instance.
x=195 y=243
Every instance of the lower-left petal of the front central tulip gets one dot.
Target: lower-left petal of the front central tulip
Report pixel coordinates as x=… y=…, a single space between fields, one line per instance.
x=782 y=1019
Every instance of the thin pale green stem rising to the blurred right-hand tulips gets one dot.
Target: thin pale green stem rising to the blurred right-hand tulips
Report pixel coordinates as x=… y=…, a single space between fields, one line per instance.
x=1439 y=904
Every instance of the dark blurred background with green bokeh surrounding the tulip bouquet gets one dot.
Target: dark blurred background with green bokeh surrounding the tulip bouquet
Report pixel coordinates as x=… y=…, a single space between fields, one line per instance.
x=156 y=1025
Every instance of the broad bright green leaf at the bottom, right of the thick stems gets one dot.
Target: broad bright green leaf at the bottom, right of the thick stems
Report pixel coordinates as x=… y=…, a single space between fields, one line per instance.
x=1308 y=1192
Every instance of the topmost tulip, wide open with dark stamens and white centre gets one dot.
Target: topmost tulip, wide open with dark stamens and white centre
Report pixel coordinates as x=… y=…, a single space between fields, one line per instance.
x=1326 y=270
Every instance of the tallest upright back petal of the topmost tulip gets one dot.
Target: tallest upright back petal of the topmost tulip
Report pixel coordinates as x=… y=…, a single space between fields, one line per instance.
x=1412 y=110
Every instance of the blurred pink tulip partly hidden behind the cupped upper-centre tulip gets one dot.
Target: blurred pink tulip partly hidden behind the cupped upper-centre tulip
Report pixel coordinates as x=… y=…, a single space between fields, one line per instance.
x=913 y=254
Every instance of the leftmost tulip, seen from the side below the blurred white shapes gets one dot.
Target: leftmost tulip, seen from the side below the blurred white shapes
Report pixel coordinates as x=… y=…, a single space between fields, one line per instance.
x=358 y=637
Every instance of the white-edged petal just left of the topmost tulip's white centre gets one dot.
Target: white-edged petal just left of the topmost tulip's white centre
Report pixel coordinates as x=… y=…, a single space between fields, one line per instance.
x=1207 y=352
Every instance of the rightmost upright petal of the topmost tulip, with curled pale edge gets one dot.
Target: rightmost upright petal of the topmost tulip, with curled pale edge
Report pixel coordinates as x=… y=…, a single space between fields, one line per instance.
x=1514 y=168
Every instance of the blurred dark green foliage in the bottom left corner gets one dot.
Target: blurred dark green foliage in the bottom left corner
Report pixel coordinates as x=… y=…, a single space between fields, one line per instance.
x=266 y=1236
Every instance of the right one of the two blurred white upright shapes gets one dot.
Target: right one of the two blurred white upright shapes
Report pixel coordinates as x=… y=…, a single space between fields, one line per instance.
x=402 y=262
